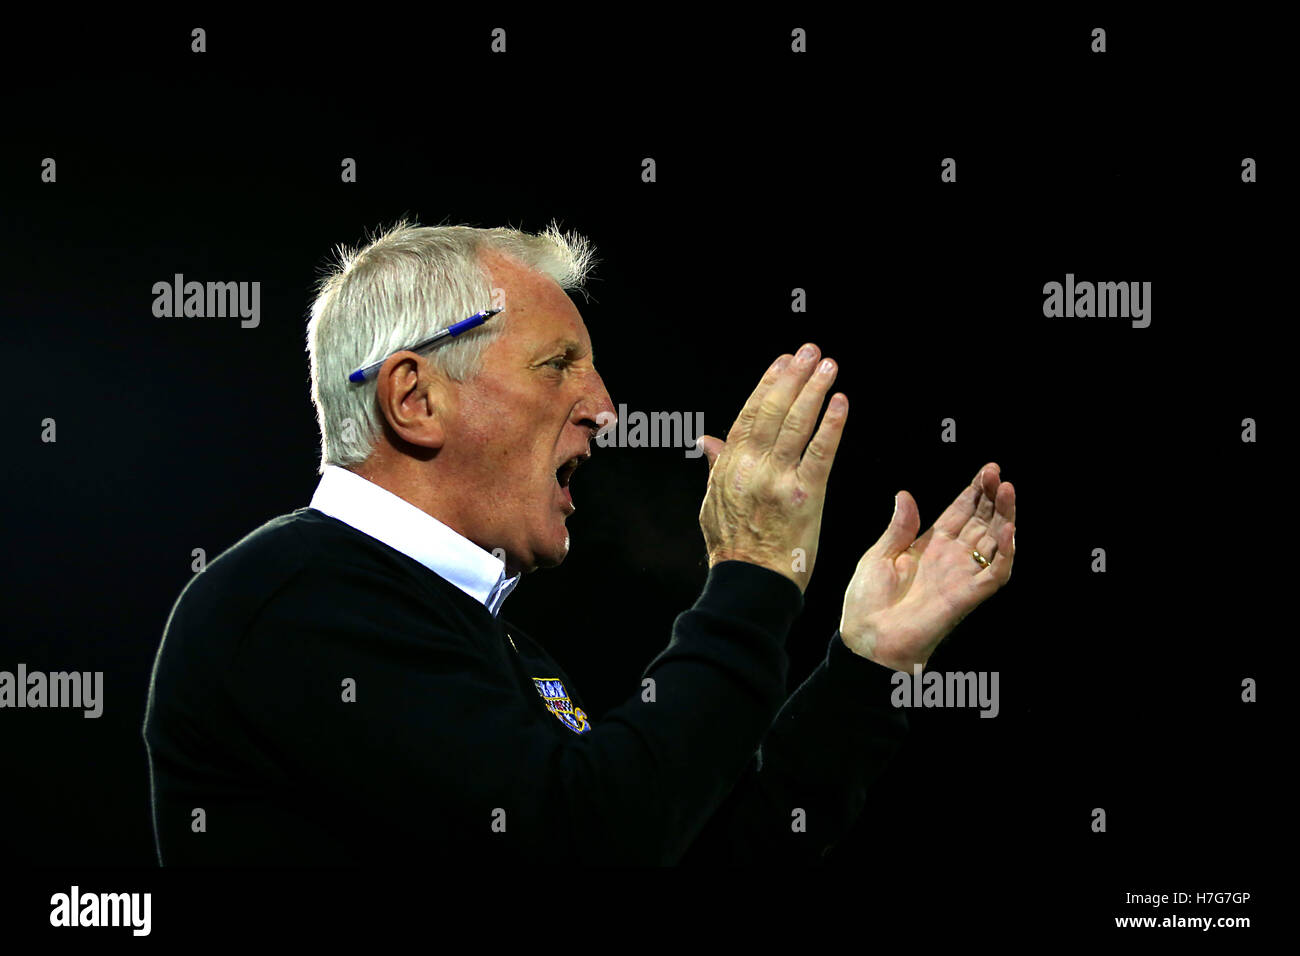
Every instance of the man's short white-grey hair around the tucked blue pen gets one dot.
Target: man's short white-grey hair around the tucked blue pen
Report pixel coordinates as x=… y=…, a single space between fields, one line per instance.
x=401 y=288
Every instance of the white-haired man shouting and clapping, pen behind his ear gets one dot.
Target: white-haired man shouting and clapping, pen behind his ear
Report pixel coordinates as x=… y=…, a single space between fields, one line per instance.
x=340 y=686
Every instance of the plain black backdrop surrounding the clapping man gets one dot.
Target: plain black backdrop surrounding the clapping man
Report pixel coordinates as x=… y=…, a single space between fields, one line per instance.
x=1119 y=690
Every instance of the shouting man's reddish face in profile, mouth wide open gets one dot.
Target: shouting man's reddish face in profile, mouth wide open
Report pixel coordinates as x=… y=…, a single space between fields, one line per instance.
x=536 y=405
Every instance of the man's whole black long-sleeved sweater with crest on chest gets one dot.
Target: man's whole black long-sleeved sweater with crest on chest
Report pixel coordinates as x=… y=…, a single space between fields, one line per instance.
x=326 y=699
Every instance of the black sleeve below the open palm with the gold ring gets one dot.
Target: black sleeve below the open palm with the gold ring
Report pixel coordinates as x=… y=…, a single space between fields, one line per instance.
x=809 y=781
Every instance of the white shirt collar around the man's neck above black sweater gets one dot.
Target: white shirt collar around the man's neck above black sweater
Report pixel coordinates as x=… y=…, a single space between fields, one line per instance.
x=402 y=526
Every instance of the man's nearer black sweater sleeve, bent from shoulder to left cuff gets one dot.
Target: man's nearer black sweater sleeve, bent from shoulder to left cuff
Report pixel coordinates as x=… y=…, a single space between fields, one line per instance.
x=439 y=738
